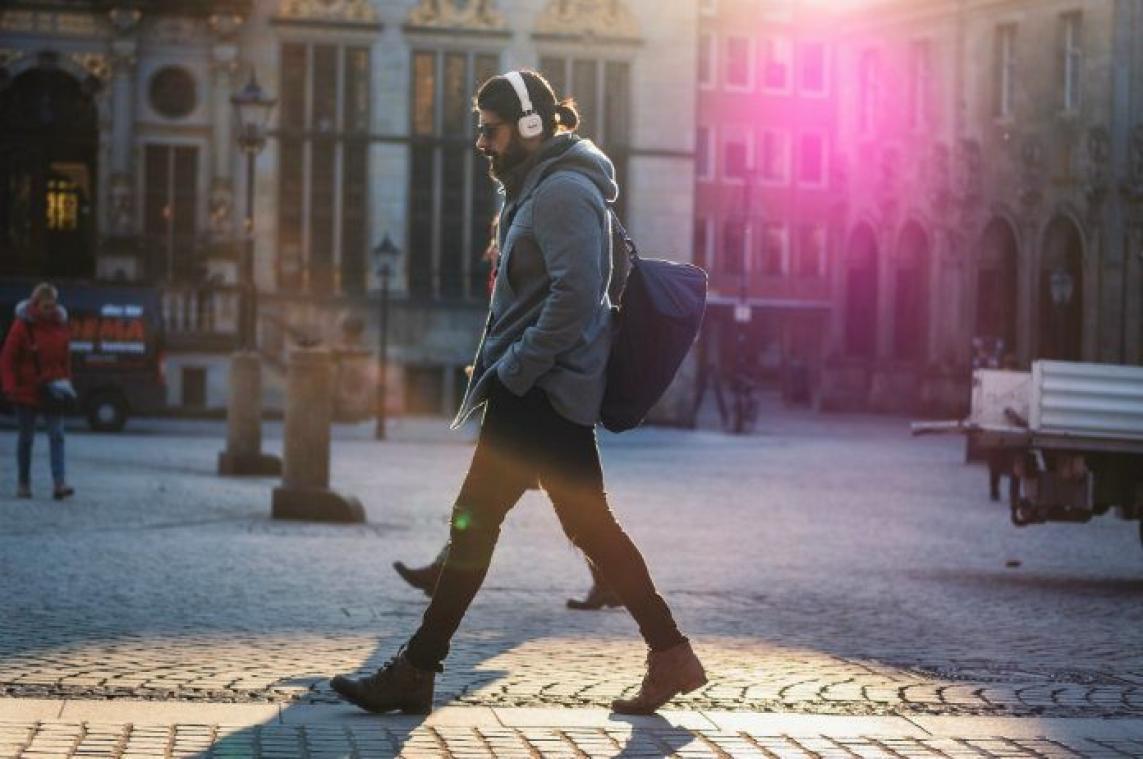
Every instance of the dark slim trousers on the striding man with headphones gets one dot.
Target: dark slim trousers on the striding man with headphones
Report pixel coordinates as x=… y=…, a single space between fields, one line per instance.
x=523 y=440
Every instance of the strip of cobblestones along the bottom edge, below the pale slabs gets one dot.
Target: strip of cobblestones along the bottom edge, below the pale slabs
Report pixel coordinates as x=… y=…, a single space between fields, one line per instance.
x=126 y=740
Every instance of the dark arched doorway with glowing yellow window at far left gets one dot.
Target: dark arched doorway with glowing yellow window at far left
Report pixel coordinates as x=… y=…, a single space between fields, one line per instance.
x=49 y=141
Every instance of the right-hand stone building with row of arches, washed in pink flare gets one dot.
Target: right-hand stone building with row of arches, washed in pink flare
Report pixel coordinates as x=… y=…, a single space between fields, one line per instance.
x=989 y=161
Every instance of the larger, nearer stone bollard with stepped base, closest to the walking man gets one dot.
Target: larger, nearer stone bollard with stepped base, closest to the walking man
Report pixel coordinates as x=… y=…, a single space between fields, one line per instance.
x=305 y=492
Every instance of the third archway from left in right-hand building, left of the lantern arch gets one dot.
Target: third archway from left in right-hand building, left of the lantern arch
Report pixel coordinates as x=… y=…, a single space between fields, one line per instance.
x=997 y=285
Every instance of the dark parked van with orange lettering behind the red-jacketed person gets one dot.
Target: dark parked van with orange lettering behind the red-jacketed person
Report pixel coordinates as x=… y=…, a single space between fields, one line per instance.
x=116 y=347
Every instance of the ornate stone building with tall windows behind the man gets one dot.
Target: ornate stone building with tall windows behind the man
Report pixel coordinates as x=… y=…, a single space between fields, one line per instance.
x=372 y=138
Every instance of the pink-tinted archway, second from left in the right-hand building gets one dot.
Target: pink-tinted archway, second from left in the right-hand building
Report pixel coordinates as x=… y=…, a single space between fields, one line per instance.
x=910 y=298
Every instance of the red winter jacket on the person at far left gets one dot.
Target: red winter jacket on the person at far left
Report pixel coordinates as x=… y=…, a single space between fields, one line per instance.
x=18 y=364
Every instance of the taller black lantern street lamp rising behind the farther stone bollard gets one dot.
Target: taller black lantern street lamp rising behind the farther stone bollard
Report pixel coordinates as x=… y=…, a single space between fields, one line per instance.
x=253 y=108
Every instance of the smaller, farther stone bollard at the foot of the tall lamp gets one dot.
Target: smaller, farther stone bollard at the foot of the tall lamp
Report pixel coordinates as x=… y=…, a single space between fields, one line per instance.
x=244 y=421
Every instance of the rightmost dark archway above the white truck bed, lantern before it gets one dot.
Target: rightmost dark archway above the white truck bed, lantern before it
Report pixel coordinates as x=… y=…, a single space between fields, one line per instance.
x=1061 y=332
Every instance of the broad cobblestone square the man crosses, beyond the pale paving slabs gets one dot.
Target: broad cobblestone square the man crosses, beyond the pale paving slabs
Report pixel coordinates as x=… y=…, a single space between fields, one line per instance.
x=826 y=565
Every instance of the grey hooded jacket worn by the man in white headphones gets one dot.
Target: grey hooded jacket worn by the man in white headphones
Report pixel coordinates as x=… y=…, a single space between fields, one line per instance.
x=550 y=321
